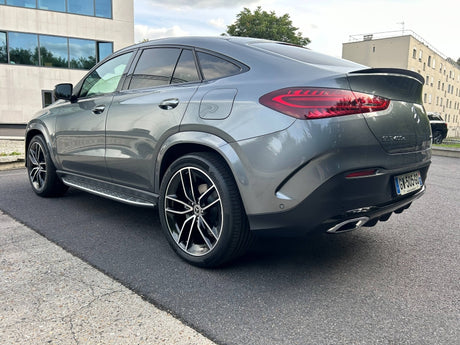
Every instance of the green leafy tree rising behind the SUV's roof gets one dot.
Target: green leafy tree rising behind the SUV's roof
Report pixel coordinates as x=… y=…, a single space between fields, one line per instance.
x=262 y=24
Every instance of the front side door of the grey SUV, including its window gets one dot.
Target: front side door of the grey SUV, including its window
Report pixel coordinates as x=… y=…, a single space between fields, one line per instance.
x=80 y=125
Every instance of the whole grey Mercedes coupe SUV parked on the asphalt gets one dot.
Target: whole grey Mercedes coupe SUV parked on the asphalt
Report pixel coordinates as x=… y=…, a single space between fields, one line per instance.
x=227 y=136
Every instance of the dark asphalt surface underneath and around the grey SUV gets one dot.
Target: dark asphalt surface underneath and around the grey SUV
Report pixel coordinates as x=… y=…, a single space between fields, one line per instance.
x=396 y=283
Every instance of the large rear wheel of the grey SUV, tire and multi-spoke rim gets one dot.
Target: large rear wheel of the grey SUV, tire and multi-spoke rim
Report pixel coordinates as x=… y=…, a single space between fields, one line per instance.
x=201 y=211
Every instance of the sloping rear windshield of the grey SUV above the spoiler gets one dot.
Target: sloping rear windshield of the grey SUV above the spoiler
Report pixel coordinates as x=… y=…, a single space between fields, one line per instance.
x=303 y=54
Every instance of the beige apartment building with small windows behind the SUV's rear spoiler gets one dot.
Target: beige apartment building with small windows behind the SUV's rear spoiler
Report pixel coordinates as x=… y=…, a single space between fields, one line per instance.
x=441 y=92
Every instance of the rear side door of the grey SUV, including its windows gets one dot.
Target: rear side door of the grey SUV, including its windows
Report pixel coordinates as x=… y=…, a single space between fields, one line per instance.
x=150 y=107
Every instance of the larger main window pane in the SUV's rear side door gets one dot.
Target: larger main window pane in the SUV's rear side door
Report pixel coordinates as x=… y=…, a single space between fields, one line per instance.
x=155 y=68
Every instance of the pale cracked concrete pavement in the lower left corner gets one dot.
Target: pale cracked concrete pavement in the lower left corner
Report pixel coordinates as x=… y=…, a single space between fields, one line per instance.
x=48 y=296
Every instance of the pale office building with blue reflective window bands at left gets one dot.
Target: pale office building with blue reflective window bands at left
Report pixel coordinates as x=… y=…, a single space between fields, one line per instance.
x=46 y=42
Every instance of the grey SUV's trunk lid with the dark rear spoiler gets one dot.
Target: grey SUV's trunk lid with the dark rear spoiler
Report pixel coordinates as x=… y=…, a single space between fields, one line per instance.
x=404 y=126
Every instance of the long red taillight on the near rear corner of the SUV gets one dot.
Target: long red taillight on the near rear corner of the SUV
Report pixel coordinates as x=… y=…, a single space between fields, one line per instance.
x=315 y=103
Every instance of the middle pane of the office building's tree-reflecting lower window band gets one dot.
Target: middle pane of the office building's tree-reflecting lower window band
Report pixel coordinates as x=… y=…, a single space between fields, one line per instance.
x=53 y=51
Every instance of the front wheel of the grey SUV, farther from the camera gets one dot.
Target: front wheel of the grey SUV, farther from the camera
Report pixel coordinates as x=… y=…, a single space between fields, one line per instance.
x=41 y=170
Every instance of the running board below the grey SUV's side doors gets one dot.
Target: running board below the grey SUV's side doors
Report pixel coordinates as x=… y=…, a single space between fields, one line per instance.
x=109 y=190
